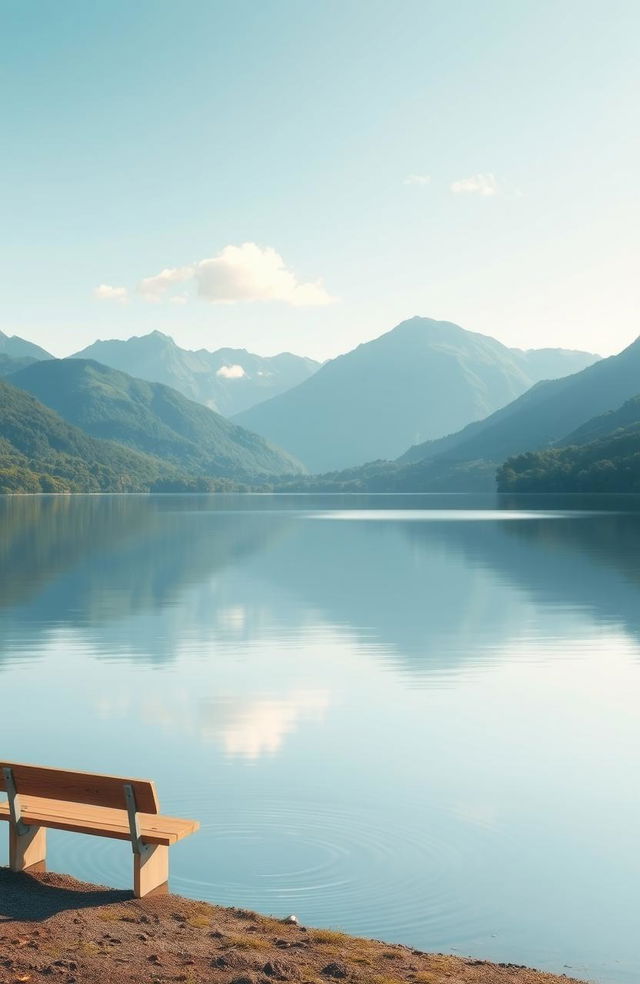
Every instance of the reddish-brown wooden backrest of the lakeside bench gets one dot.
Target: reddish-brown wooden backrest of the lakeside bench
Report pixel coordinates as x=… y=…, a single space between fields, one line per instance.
x=89 y=788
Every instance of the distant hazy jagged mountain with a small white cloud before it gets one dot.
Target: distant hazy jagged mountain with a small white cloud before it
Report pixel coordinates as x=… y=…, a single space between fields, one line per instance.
x=227 y=380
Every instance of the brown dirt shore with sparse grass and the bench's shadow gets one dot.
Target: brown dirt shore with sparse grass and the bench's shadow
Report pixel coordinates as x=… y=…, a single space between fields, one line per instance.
x=55 y=928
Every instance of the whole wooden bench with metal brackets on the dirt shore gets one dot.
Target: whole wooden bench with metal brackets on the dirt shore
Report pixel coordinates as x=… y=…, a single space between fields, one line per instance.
x=87 y=803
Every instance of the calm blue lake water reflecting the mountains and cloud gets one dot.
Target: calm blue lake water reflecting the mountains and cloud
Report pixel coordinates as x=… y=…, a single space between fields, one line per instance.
x=408 y=717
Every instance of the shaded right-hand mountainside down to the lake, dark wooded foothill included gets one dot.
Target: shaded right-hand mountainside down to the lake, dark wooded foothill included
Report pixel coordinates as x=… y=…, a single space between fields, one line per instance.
x=538 y=433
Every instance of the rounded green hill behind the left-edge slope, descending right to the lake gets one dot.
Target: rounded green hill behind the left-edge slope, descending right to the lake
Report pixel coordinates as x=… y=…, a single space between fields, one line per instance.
x=151 y=418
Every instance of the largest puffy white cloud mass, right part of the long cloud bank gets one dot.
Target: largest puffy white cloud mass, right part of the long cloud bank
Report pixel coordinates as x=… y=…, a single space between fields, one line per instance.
x=254 y=273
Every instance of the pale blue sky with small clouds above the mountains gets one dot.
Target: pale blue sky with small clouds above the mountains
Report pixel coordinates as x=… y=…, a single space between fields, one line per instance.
x=307 y=174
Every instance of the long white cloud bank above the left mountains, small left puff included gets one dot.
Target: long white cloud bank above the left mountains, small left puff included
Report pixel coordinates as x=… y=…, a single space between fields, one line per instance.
x=237 y=273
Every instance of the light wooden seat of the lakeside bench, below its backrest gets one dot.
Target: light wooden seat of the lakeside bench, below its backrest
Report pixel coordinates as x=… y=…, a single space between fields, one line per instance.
x=101 y=821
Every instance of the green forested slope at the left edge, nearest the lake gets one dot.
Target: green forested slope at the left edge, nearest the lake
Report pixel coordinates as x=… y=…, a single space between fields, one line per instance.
x=40 y=452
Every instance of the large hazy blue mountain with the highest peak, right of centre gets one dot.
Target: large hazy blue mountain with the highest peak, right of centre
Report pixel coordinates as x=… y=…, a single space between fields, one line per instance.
x=421 y=380
